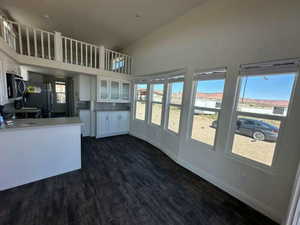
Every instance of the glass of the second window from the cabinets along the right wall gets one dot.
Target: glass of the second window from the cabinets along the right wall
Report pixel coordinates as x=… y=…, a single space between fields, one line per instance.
x=157 y=103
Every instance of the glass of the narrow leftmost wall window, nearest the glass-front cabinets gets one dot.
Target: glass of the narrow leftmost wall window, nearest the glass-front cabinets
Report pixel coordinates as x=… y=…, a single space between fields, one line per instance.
x=141 y=97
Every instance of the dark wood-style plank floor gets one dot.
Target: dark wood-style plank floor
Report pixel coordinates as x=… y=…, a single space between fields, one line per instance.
x=124 y=181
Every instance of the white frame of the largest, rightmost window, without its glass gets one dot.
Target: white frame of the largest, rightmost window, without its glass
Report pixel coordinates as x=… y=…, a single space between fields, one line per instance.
x=235 y=113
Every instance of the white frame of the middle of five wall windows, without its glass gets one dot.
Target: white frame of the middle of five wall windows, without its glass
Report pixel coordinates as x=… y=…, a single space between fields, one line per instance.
x=168 y=104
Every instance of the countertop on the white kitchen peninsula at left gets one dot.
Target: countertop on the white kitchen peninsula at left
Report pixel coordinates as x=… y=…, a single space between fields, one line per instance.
x=21 y=124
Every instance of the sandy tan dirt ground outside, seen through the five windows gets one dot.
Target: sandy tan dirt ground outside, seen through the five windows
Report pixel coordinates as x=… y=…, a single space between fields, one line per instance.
x=260 y=151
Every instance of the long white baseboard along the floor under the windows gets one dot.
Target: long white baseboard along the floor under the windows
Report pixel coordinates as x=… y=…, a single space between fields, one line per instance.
x=244 y=197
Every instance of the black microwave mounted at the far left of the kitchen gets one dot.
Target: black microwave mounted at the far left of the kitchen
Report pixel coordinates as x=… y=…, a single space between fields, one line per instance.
x=16 y=86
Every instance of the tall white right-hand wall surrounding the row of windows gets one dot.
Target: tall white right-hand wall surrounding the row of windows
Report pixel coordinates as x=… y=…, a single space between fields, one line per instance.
x=227 y=33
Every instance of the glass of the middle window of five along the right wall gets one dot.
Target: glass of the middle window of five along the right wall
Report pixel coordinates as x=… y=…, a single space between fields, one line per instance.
x=175 y=105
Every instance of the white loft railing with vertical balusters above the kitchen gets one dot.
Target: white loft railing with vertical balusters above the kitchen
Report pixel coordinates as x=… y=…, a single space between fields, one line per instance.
x=30 y=41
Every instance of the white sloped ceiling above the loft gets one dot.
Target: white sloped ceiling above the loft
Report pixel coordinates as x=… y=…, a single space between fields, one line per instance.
x=112 y=23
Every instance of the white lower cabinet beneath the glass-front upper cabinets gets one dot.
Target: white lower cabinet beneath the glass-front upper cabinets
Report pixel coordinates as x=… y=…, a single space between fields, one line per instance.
x=112 y=123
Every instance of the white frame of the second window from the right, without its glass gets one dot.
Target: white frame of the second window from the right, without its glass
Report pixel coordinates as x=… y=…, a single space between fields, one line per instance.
x=220 y=74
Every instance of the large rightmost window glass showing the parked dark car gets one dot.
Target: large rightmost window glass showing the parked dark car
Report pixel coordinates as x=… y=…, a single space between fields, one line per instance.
x=261 y=108
